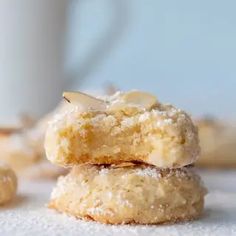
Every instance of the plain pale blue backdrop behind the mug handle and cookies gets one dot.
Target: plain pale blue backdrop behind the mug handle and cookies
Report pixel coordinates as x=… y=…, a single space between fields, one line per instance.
x=183 y=51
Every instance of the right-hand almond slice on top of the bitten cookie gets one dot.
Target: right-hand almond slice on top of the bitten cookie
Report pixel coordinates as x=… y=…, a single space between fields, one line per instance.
x=142 y=99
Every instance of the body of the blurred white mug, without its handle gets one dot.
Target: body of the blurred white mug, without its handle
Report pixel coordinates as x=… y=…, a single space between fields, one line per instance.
x=32 y=75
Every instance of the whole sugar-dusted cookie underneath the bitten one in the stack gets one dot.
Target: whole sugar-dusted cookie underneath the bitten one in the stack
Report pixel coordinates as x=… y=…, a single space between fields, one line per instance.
x=134 y=194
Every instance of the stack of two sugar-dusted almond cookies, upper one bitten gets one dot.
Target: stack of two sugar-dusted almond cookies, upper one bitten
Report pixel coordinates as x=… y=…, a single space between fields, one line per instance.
x=131 y=160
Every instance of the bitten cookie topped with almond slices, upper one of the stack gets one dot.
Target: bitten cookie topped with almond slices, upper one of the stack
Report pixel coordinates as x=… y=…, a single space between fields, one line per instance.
x=126 y=127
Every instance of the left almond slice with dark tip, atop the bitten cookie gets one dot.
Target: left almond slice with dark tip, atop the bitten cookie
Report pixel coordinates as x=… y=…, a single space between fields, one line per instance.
x=85 y=101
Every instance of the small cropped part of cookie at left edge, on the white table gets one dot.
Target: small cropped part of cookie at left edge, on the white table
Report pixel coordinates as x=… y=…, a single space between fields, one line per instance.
x=8 y=184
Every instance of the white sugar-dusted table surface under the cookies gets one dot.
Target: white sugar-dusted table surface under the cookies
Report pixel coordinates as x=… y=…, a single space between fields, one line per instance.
x=28 y=214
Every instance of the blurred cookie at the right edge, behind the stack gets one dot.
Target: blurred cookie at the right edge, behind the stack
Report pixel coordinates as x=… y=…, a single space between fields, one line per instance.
x=218 y=144
